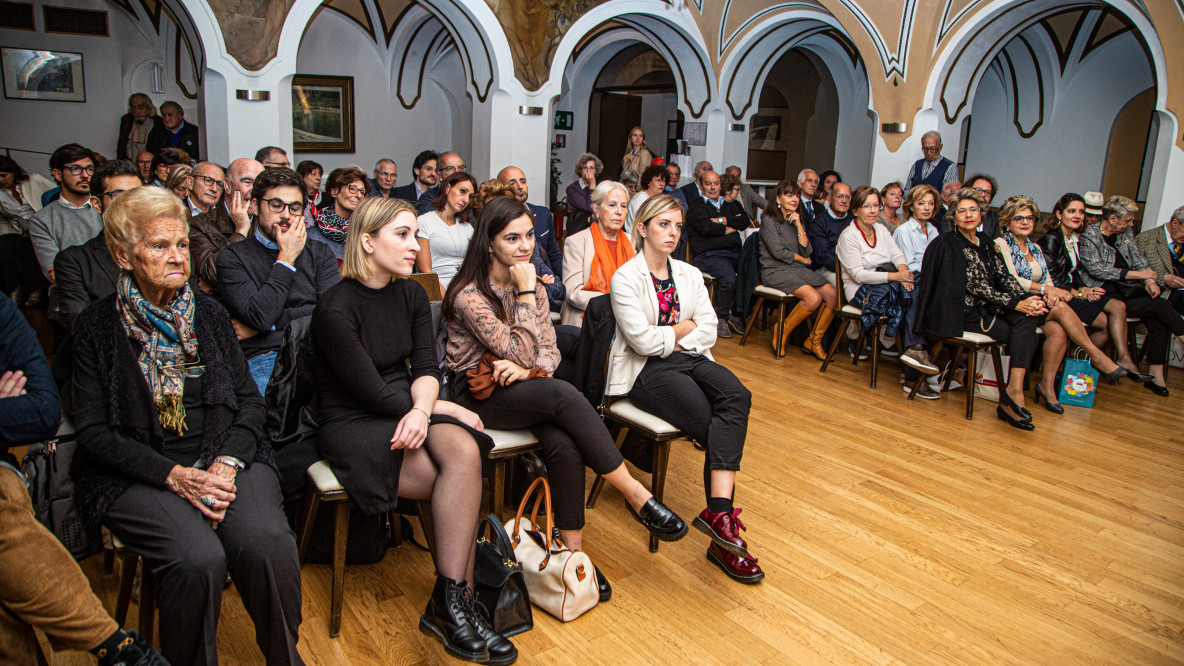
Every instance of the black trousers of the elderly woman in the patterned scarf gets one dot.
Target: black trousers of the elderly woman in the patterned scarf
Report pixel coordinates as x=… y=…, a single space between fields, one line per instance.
x=191 y=561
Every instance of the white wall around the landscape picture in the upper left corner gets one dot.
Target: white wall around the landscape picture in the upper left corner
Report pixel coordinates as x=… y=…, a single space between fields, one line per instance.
x=113 y=69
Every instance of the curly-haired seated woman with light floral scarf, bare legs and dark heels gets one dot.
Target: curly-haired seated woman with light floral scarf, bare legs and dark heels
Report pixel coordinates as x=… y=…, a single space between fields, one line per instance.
x=1026 y=262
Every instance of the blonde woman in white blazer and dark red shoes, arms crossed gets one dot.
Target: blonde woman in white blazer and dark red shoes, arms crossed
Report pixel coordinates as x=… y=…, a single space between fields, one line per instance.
x=661 y=358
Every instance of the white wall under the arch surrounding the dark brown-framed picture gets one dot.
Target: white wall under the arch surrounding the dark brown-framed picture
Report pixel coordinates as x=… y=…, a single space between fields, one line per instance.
x=442 y=119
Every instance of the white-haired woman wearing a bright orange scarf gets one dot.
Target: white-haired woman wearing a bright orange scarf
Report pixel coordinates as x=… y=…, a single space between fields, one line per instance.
x=594 y=255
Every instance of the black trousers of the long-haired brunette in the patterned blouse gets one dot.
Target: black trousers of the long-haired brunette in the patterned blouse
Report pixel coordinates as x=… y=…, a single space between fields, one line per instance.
x=569 y=430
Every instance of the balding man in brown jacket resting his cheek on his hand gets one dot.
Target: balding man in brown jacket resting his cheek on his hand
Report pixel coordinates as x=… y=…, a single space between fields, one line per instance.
x=226 y=223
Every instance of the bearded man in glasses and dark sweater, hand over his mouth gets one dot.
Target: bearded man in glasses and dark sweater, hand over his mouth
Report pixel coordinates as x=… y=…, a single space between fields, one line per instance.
x=275 y=276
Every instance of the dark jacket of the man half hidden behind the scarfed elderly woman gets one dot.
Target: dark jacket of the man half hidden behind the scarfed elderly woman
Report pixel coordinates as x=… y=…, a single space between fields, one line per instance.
x=85 y=276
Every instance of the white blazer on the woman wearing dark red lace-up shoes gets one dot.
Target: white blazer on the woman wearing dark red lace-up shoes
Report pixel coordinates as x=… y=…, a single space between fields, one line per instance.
x=639 y=336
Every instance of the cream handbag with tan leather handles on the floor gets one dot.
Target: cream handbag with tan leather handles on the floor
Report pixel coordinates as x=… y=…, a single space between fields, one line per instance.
x=561 y=581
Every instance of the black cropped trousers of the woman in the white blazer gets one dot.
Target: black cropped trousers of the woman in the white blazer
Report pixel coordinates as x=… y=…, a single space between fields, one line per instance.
x=704 y=400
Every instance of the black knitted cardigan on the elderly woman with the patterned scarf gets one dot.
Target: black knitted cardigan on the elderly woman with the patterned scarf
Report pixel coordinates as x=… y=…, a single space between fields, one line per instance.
x=120 y=438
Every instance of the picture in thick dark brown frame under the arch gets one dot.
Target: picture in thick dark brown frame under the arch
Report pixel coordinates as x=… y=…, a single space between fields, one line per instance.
x=324 y=114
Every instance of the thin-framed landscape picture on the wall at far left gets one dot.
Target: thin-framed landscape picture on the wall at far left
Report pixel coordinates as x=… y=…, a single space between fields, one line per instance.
x=49 y=76
